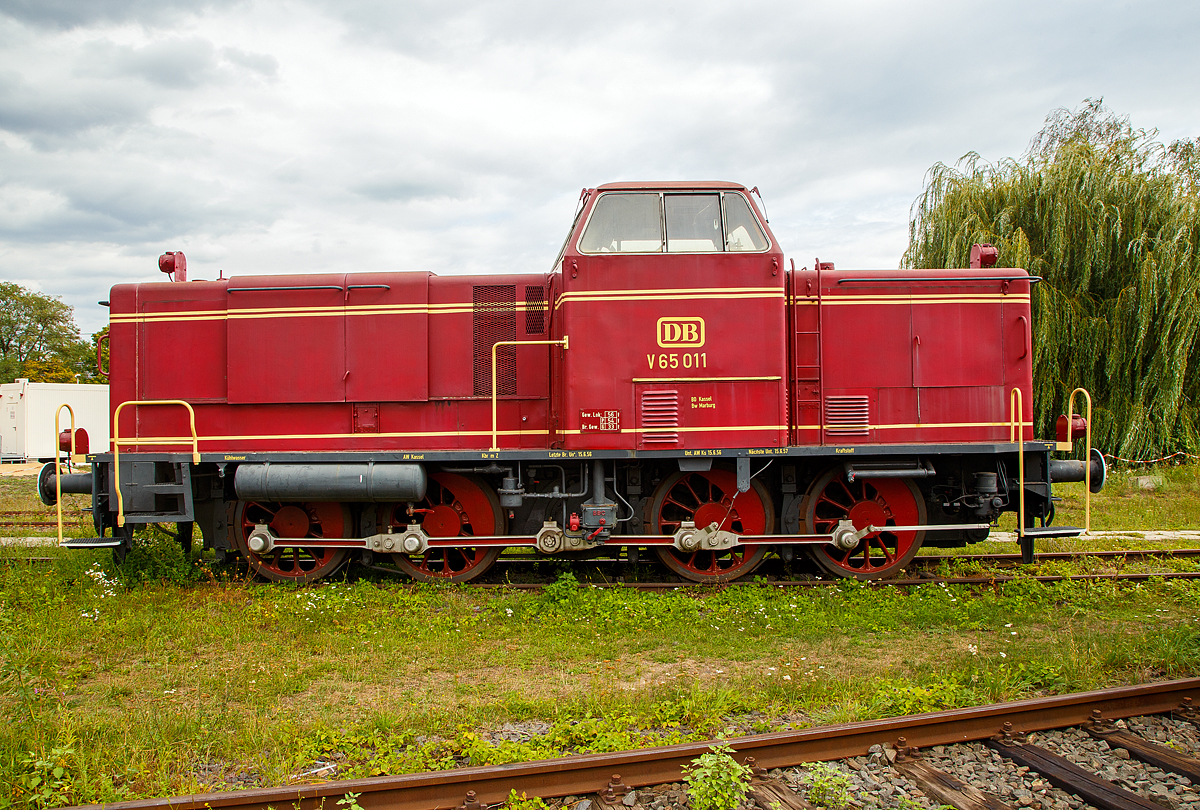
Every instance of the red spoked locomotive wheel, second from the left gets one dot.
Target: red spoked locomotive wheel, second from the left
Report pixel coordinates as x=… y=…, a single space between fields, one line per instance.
x=454 y=507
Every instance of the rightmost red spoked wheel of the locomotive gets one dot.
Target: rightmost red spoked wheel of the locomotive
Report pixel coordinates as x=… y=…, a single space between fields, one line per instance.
x=867 y=502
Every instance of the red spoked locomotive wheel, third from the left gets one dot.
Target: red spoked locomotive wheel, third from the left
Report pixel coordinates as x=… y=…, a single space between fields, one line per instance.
x=705 y=499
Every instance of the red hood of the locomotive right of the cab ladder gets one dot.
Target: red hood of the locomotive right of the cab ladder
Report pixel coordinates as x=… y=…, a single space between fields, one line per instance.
x=934 y=361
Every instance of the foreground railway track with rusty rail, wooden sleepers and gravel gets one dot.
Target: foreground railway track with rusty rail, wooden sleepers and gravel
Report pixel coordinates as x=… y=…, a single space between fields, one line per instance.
x=1023 y=743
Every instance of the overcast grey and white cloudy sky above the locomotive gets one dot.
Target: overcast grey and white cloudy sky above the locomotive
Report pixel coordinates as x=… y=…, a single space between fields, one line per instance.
x=388 y=135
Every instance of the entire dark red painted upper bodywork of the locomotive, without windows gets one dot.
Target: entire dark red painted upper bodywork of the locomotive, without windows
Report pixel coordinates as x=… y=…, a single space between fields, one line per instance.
x=676 y=352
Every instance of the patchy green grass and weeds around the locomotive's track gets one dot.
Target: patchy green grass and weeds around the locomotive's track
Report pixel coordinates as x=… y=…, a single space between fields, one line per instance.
x=169 y=676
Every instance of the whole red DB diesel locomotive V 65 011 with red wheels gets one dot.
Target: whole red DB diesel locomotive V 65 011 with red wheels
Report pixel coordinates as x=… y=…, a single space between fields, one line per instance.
x=671 y=386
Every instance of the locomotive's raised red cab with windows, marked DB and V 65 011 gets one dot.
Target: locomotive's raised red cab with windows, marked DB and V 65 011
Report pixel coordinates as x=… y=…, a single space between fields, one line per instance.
x=673 y=298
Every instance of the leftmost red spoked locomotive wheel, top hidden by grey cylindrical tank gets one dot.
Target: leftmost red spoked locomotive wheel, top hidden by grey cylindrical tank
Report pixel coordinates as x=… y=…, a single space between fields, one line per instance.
x=293 y=520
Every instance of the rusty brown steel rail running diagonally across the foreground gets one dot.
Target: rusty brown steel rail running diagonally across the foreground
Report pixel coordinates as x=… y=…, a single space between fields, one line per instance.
x=591 y=773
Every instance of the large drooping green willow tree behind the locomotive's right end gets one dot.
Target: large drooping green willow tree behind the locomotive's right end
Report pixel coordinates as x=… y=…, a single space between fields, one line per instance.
x=1108 y=218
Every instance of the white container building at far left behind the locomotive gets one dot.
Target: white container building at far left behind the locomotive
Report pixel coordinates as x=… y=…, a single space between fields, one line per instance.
x=27 y=418
